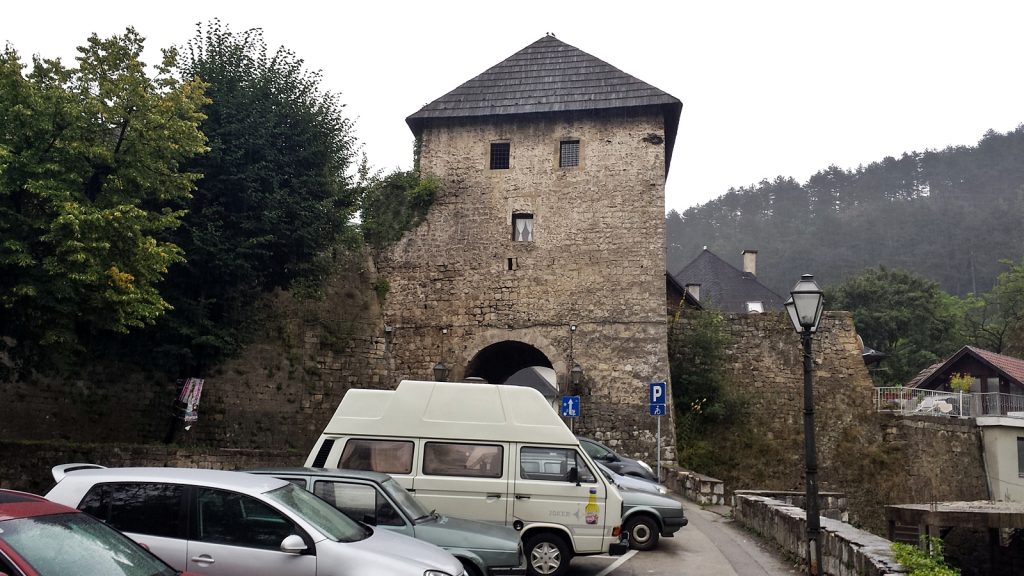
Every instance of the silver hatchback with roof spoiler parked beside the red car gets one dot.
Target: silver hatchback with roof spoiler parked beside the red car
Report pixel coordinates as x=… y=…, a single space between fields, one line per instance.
x=219 y=523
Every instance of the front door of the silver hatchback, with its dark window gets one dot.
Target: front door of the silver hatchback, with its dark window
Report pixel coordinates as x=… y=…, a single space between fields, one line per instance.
x=235 y=534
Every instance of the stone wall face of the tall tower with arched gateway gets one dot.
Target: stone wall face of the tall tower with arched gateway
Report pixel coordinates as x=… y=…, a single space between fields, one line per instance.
x=460 y=283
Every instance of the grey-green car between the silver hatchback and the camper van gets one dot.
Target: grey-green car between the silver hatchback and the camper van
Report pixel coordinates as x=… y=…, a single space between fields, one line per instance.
x=486 y=550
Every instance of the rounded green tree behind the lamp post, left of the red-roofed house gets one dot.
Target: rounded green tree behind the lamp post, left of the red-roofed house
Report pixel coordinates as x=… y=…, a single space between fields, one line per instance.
x=906 y=316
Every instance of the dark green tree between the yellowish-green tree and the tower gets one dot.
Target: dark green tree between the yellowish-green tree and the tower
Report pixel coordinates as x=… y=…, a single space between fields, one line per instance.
x=277 y=192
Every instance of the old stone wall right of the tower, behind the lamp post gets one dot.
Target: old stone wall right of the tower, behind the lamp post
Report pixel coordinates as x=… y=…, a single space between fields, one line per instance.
x=875 y=460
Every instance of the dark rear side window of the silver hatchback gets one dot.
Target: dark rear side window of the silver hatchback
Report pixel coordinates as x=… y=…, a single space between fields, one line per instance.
x=155 y=510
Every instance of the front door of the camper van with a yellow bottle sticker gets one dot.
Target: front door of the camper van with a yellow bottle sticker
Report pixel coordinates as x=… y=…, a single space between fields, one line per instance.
x=544 y=492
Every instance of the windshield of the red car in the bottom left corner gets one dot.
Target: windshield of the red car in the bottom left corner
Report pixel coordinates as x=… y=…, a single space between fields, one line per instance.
x=77 y=544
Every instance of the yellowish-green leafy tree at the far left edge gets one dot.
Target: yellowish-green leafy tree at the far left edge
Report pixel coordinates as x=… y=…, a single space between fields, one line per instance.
x=92 y=182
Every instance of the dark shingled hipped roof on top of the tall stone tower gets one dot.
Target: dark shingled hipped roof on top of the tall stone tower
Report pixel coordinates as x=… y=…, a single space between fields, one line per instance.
x=550 y=77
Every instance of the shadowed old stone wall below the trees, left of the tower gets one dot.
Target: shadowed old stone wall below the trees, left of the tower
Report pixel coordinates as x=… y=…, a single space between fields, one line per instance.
x=279 y=394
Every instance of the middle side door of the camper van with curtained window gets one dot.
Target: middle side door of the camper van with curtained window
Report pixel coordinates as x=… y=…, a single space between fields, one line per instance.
x=464 y=480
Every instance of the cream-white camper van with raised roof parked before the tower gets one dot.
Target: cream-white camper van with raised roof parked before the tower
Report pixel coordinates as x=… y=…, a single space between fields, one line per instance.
x=488 y=452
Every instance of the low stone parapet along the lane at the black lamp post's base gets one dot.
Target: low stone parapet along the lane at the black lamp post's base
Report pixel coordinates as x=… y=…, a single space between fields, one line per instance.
x=845 y=550
